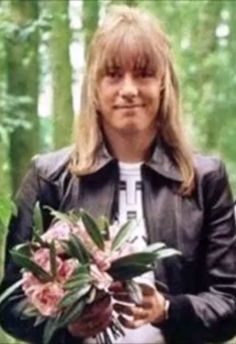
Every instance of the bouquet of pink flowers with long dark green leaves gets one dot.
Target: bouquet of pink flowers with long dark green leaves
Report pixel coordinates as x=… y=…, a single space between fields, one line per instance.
x=71 y=264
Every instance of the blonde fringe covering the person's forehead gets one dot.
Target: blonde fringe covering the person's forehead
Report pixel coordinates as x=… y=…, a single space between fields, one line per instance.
x=129 y=47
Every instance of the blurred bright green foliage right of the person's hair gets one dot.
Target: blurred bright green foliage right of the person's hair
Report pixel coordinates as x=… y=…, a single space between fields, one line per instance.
x=203 y=36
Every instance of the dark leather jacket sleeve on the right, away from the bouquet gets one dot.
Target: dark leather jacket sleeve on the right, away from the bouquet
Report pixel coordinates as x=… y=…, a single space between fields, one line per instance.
x=210 y=316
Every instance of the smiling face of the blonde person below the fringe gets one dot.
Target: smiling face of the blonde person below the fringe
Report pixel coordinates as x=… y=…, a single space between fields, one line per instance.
x=128 y=101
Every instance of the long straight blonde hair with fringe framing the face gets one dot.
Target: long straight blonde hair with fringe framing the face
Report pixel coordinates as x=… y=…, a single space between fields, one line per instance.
x=129 y=29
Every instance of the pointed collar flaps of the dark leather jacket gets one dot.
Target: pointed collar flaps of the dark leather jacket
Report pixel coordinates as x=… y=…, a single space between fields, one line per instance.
x=159 y=162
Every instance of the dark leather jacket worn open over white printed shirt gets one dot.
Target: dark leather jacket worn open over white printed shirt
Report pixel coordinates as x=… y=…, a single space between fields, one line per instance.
x=201 y=283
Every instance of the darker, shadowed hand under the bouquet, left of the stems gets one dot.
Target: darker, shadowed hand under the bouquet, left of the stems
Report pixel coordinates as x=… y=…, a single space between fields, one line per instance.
x=94 y=319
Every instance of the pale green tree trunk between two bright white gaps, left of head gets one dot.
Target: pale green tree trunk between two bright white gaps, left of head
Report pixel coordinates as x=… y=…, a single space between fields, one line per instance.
x=61 y=72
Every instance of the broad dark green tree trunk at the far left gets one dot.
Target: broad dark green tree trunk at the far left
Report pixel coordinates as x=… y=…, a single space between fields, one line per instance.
x=22 y=79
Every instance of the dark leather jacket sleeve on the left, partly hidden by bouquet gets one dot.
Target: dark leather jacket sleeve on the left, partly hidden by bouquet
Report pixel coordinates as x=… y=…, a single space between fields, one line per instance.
x=20 y=230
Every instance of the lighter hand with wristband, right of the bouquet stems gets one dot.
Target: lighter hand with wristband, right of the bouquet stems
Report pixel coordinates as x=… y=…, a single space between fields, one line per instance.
x=151 y=309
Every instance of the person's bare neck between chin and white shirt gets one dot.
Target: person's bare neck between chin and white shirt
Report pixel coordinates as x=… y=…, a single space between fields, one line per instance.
x=130 y=148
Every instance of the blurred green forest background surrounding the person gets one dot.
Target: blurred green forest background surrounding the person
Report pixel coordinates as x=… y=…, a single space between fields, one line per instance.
x=42 y=51
